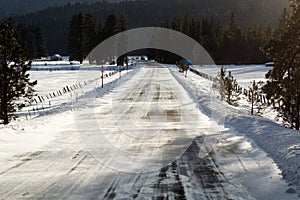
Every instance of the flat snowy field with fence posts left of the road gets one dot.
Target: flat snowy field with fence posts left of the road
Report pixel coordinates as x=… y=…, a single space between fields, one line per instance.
x=58 y=76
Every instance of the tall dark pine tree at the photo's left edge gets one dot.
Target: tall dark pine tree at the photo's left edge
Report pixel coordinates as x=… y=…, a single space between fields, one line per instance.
x=16 y=88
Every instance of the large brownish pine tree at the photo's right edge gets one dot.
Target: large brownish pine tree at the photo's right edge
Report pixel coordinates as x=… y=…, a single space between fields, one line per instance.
x=283 y=86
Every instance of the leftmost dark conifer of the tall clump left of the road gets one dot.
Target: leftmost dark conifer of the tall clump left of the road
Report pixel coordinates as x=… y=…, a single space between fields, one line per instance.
x=75 y=38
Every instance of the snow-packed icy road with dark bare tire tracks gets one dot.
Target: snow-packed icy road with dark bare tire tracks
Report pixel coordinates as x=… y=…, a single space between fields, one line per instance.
x=140 y=141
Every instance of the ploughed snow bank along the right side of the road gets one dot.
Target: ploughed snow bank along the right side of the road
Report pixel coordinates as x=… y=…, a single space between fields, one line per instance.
x=280 y=143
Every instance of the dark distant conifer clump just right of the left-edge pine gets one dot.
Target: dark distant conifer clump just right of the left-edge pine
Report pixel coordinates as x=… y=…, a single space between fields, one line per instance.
x=34 y=39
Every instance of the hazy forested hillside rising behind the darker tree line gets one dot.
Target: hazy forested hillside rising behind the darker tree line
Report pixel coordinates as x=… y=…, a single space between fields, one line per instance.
x=140 y=13
